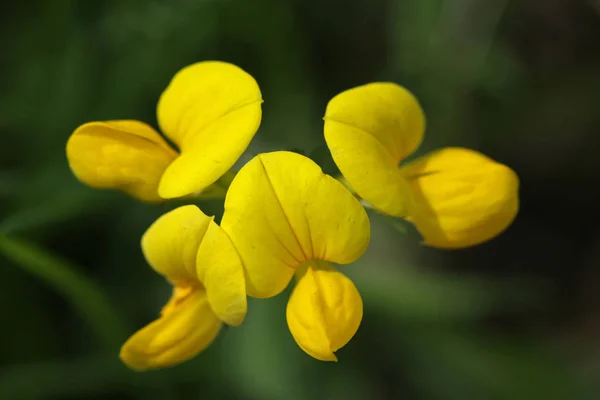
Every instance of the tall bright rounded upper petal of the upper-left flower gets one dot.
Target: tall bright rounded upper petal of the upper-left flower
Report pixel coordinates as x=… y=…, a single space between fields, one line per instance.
x=211 y=110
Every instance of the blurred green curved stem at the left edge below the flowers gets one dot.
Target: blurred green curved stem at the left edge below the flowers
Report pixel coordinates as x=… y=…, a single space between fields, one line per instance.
x=75 y=287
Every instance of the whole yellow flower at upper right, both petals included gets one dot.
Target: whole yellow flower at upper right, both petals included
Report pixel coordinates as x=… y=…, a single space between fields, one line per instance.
x=455 y=197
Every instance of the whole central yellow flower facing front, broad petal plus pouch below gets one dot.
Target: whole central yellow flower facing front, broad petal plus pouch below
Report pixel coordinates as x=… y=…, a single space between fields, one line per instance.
x=286 y=218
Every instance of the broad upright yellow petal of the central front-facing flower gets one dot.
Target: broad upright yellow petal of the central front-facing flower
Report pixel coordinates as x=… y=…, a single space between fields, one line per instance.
x=282 y=210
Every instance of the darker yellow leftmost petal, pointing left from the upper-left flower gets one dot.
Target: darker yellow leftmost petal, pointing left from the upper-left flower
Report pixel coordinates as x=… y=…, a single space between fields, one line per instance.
x=125 y=155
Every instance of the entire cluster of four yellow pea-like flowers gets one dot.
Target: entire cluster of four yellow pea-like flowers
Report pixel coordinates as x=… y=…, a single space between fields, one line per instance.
x=283 y=217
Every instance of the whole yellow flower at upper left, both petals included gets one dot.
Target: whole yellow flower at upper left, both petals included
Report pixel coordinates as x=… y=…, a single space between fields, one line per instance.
x=210 y=110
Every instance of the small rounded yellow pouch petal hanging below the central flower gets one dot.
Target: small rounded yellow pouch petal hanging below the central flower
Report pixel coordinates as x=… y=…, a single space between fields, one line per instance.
x=324 y=311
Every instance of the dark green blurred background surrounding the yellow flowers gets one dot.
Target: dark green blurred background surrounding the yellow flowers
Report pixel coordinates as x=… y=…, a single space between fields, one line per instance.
x=515 y=318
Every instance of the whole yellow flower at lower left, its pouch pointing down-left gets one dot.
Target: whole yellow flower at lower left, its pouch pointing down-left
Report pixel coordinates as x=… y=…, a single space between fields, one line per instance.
x=197 y=257
